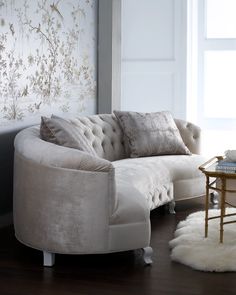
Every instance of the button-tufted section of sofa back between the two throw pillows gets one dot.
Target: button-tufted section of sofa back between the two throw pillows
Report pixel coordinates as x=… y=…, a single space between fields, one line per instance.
x=104 y=134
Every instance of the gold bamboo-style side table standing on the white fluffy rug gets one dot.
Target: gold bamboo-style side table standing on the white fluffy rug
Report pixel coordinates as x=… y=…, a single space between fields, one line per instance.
x=209 y=169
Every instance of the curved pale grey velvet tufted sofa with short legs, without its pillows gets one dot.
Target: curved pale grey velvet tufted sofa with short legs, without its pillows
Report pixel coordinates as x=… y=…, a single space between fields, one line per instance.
x=67 y=201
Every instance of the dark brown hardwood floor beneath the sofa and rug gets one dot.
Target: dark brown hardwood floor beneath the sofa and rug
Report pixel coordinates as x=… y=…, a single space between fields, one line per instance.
x=21 y=270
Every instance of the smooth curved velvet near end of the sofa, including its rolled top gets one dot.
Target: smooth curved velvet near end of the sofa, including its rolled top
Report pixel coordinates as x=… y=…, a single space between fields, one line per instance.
x=65 y=195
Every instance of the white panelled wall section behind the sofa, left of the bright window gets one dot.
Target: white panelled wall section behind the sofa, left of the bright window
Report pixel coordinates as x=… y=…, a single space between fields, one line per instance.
x=153 y=65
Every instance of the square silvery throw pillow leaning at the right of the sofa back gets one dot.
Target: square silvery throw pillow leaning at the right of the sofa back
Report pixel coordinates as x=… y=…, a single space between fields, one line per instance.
x=149 y=134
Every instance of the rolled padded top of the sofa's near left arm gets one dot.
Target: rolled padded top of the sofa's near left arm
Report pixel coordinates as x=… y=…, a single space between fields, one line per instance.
x=29 y=144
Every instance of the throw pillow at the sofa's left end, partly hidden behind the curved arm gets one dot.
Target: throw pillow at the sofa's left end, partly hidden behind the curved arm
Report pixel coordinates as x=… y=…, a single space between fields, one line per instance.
x=60 y=131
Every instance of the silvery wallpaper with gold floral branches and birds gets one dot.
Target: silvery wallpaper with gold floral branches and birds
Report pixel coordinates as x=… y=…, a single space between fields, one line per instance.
x=47 y=59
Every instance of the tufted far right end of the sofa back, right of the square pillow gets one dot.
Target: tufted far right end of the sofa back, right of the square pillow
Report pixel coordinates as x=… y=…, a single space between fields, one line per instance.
x=191 y=135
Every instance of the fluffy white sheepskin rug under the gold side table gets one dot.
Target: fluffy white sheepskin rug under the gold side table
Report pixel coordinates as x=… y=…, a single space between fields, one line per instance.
x=191 y=248
